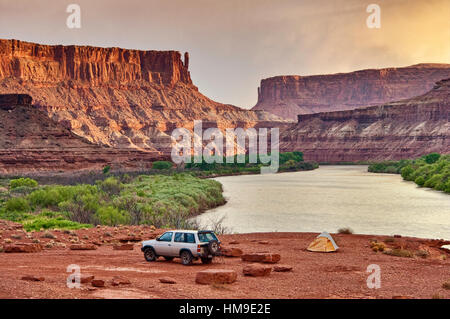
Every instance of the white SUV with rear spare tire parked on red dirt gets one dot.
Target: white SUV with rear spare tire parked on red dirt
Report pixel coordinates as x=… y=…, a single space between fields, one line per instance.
x=188 y=245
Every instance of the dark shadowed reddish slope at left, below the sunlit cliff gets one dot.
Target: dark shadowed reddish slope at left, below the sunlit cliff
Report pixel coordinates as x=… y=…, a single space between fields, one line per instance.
x=31 y=142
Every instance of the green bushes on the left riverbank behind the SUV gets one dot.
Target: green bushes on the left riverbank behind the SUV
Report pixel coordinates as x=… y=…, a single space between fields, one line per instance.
x=159 y=200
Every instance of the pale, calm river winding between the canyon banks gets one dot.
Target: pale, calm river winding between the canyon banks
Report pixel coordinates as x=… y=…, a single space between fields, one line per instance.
x=330 y=198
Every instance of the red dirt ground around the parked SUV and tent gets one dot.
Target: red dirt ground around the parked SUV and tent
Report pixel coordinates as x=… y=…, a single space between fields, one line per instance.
x=314 y=275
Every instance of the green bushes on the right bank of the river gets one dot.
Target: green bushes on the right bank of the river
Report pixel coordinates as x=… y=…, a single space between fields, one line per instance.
x=432 y=170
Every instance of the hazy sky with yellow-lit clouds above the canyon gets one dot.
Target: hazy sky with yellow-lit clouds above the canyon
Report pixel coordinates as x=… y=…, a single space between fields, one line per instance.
x=233 y=44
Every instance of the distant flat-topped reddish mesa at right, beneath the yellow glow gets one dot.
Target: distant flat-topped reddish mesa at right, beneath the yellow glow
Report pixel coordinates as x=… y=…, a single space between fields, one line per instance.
x=288 y=96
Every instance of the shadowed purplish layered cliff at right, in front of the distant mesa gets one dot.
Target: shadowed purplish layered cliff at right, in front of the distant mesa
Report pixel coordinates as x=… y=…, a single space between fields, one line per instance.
x=397 y=130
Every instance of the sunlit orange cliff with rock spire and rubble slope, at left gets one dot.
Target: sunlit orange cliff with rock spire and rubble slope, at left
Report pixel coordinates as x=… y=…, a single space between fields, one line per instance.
x=116 y=97
